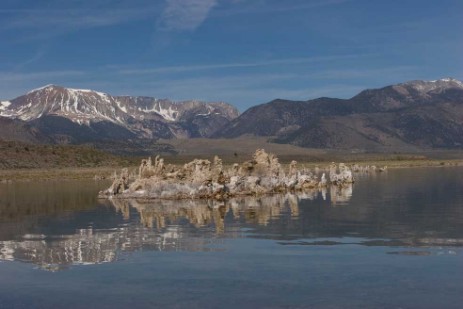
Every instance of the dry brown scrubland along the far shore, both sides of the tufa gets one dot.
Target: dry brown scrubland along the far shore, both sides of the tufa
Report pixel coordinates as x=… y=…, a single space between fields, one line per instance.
x=19 y=161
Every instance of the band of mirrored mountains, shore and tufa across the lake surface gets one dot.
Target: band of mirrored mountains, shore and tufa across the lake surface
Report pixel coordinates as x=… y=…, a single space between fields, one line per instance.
x=401 y=208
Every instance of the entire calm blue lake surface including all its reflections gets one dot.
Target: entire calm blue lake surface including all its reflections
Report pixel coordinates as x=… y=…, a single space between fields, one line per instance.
x=393 y=240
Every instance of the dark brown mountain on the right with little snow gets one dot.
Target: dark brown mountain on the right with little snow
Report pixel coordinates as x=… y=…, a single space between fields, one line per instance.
x=403 y=116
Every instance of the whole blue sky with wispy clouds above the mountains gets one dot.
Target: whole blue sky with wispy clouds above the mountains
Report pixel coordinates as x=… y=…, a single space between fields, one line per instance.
x=244 y=52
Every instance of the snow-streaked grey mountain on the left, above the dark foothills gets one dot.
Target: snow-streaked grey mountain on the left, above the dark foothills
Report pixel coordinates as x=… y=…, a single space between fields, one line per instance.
x=145 y=117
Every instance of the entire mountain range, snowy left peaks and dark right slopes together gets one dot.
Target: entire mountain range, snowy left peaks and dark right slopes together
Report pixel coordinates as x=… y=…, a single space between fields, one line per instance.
x=411 y=114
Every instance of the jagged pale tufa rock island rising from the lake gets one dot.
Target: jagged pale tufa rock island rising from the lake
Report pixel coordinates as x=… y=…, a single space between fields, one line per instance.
x=203 y=179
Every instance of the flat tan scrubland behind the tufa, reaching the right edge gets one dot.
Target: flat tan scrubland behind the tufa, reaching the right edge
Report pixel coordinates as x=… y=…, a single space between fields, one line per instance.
x=238 y=149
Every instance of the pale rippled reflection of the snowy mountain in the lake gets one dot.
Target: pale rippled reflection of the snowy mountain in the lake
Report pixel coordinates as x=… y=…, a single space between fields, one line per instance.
x=89 y=246
